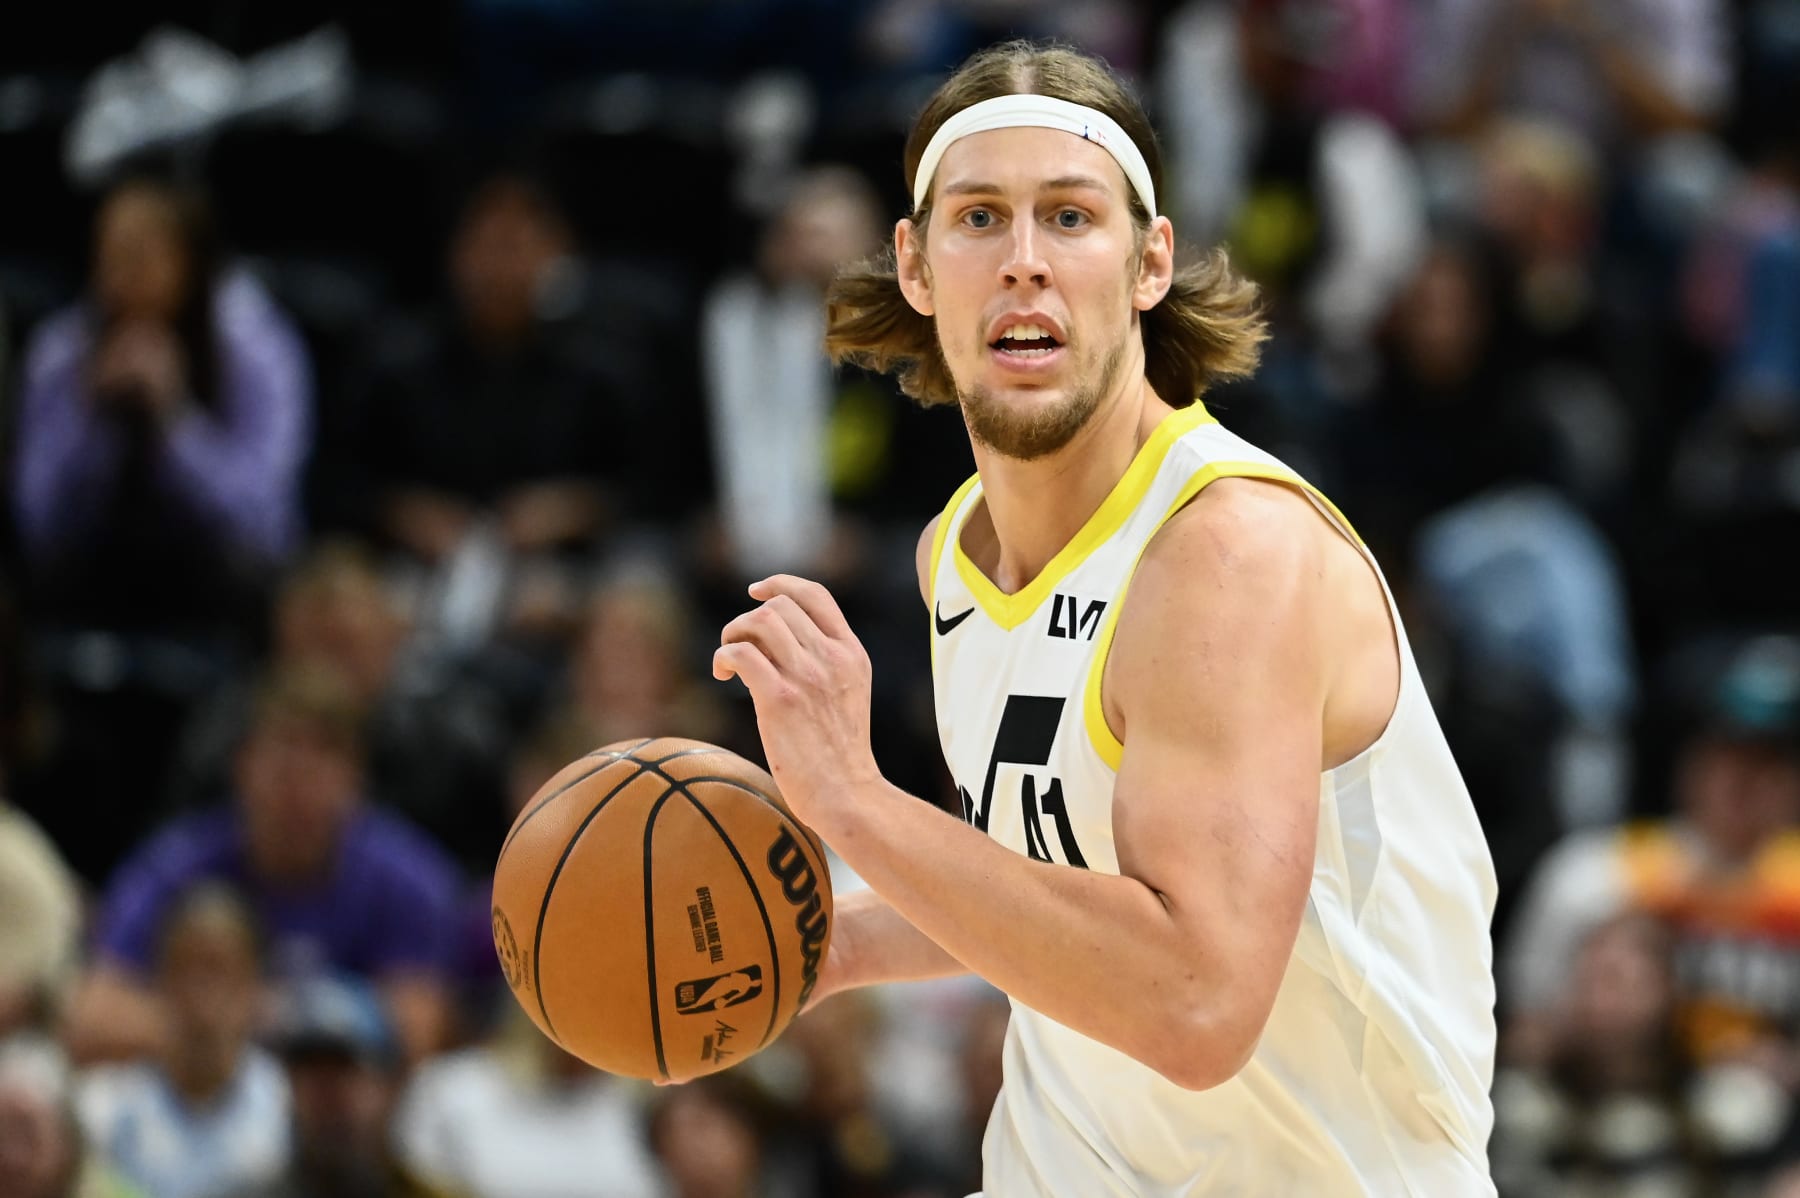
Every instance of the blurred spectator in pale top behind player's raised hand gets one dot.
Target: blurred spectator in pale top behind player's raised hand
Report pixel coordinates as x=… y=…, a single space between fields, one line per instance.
x=813 y=461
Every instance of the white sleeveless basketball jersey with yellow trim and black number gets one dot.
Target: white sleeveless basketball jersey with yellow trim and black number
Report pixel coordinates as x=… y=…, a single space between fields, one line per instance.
x=1372 y=1075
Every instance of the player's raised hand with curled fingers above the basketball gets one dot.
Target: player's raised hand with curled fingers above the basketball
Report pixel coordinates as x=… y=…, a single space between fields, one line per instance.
x=809 y=679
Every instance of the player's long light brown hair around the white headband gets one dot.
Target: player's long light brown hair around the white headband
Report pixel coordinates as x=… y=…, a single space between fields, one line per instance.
x=1207 y=330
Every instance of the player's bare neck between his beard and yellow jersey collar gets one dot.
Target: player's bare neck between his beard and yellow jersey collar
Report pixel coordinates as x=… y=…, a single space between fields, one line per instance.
x=1038 y=508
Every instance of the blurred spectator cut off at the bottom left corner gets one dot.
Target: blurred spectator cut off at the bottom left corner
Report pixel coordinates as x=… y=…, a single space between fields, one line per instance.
x=42 y=1154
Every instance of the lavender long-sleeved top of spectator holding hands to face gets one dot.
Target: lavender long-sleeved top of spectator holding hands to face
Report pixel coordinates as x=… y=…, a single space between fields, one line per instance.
x=235 y=470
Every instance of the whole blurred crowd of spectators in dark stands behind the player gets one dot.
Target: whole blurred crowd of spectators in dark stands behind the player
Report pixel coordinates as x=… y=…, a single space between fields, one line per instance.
x=400 y=397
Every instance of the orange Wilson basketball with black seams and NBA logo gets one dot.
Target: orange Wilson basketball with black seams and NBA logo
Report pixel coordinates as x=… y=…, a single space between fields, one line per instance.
x=658 y=911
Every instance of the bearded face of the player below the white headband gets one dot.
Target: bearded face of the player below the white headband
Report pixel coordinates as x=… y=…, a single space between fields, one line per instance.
x=1036 y=274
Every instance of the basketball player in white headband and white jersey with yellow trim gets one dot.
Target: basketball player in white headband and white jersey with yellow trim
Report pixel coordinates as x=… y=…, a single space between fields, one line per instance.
x=1214 y=846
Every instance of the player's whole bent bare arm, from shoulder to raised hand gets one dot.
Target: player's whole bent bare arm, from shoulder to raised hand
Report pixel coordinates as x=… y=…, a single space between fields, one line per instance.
x=1219 y=677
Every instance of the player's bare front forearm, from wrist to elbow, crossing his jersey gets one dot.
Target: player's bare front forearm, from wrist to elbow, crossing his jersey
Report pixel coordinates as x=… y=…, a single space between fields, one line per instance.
x=1095 y=952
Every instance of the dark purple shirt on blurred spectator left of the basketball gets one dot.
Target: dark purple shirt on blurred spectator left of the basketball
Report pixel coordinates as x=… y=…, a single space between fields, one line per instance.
x=390 y=906
